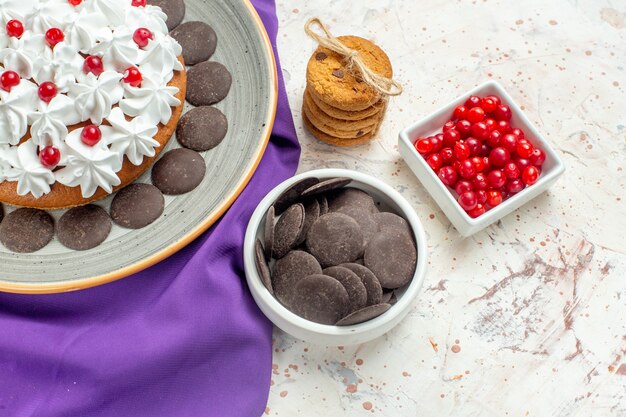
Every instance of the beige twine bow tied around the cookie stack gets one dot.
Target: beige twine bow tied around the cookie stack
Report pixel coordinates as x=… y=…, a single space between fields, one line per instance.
x=383 y=85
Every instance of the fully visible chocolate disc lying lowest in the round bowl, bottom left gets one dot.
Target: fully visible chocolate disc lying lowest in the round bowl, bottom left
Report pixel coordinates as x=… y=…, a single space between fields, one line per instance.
x=321 y=299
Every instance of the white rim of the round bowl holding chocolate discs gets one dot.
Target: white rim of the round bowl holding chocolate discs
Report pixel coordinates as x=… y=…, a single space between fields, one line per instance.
x=403 y=303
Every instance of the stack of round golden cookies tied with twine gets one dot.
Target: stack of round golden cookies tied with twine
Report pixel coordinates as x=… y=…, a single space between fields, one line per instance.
x=339 y=108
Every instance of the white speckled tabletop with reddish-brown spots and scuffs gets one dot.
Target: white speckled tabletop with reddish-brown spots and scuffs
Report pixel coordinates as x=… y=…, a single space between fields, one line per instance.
x=528 y=317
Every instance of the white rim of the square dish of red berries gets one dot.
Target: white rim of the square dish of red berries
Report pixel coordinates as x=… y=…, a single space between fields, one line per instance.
x=518 y=199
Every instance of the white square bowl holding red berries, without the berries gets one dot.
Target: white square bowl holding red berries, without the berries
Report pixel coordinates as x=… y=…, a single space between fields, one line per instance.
x=552 y=168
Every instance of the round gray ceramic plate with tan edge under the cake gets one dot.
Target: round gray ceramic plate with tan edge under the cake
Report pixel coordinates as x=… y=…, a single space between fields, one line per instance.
x=244 y=48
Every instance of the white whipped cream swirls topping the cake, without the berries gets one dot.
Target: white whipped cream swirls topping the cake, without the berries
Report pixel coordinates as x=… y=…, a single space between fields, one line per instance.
x=128 y=116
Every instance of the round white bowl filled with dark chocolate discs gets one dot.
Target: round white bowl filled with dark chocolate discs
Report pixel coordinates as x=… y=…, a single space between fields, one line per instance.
x=335 y=257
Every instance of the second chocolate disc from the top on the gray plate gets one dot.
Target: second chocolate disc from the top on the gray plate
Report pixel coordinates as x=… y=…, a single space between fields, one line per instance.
x=198 y=41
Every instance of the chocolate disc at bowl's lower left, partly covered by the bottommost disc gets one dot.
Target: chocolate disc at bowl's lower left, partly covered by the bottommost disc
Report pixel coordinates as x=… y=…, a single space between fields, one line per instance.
x=289 y=270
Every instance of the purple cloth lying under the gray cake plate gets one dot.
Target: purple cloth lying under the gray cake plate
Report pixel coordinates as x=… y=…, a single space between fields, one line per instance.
x=183 y=338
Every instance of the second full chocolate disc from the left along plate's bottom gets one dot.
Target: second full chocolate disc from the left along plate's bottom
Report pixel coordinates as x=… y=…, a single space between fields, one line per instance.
x=84 y=227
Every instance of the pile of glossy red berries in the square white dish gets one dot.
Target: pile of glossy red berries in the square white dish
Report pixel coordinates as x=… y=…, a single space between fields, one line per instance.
x=481 y=156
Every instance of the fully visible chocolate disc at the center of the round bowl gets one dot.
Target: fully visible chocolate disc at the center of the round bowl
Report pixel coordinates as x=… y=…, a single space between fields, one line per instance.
x=335 y=239
